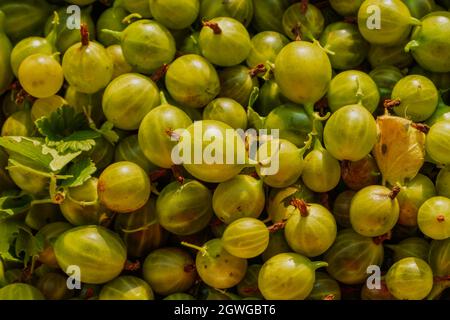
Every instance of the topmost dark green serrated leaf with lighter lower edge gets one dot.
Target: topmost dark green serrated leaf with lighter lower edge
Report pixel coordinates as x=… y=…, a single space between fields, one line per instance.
x=67 y=131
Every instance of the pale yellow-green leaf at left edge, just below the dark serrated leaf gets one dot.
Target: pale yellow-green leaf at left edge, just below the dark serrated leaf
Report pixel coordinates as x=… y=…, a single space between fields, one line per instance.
x=35 y=152
